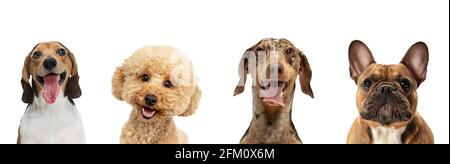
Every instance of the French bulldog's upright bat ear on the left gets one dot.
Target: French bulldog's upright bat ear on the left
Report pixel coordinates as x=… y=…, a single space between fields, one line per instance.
x=359 y=57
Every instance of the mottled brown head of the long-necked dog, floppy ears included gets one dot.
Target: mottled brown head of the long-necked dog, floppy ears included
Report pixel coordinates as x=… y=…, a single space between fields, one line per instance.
x=274 y=65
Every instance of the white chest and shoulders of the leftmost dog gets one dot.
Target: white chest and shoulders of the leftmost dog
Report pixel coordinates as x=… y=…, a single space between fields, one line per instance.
x=57 y=123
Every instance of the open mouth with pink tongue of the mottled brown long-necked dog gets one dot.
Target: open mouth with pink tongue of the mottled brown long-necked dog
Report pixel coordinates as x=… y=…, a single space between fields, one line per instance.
x=272 y=92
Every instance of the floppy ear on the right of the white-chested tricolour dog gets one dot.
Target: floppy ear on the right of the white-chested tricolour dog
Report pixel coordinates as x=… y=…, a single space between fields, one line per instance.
x=73 y=89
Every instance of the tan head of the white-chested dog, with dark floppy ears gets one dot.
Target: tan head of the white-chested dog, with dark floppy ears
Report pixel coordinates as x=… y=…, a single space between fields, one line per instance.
x=53 y=69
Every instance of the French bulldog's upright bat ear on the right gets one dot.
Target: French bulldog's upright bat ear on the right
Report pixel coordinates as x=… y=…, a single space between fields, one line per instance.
x=416 y=59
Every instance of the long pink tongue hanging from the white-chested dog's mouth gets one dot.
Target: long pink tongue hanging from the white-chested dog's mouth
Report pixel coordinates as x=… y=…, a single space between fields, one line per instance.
x=51 y=88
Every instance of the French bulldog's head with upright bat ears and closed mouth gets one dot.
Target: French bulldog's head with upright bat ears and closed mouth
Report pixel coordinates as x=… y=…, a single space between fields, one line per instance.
x=387 y=93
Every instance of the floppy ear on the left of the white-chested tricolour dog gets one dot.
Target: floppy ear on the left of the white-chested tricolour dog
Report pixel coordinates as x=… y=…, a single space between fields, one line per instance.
x=27 y=95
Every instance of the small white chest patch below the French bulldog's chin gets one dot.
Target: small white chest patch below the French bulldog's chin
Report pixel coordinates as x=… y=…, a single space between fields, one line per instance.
x=387 y=135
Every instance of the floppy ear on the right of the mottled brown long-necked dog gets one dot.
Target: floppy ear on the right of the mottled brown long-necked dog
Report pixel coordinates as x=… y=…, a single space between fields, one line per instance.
x=305 y=75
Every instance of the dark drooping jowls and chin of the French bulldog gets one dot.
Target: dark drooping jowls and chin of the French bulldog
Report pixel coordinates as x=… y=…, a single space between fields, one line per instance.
x=387 y=111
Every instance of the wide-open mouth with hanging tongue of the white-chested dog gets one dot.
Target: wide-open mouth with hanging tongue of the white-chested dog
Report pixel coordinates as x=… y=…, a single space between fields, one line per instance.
x=51 y=83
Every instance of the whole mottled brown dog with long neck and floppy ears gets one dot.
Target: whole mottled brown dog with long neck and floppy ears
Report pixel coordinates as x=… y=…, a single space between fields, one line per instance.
x=274 y=65
